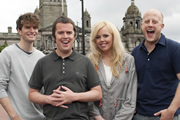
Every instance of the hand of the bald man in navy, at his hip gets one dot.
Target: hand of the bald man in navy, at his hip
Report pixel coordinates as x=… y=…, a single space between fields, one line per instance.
x=166 y=114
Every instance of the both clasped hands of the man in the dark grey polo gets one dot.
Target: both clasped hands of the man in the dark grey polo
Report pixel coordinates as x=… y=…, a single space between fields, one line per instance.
x=60 y=98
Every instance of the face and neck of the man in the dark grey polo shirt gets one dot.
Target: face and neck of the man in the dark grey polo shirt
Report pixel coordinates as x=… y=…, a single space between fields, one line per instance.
x=64 y=38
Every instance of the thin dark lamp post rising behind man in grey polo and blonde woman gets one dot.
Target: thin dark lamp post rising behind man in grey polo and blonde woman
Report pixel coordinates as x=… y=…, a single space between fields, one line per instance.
x=83 y=39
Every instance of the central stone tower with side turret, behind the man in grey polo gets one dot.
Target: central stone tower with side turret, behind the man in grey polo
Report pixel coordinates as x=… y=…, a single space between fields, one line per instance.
x=49 y=11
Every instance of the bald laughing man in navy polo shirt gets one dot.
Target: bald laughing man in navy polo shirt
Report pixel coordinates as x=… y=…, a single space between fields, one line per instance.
x=157 y=61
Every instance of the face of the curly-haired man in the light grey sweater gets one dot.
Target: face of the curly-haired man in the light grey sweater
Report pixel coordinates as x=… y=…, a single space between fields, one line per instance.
x=28 y=33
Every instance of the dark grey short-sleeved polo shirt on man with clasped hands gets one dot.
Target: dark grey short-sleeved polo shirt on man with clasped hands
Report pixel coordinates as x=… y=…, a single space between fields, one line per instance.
x=75 y=72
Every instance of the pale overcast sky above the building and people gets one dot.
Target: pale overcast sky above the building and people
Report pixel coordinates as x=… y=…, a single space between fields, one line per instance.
x=111 y=10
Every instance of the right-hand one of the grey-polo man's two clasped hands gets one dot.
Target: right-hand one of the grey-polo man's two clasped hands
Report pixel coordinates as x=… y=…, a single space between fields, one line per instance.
x=65 y=97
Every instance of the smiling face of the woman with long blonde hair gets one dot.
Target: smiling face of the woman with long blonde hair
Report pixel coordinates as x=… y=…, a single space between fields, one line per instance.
x=104 y=40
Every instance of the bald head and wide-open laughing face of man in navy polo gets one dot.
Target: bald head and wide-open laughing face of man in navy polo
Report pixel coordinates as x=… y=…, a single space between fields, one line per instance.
x=152 y=25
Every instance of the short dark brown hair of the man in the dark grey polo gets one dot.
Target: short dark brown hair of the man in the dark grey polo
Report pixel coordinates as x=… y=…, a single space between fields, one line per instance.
x=62 y=19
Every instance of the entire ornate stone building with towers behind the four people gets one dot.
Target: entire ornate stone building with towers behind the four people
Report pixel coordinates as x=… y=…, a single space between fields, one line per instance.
x=50 y=10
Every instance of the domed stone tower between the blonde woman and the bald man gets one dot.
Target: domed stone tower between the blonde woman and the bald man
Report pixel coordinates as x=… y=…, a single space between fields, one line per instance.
x=131 y=31
